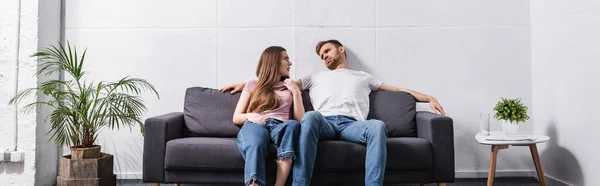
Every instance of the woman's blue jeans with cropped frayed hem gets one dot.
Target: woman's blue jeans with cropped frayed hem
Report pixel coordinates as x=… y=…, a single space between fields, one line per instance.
x=253 y=141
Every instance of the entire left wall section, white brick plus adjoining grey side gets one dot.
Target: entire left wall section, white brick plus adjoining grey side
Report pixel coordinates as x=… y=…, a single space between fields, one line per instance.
x=37 y=27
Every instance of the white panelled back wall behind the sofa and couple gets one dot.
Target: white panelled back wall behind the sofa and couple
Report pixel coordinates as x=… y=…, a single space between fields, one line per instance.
x=467 y=53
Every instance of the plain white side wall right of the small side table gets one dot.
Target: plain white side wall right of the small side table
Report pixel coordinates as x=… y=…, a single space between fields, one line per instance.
x=565 y=62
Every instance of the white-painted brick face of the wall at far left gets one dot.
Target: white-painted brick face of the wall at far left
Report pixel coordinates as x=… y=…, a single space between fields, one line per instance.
x=17 y=173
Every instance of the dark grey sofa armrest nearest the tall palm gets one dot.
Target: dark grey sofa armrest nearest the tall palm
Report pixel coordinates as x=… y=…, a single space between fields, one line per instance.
x=158 y=131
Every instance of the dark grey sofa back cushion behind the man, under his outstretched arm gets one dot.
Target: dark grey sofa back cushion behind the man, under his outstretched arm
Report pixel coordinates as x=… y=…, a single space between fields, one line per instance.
x=396 y=109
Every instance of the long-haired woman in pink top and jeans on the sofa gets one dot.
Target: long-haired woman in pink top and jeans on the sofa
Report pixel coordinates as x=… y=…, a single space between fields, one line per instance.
x=264 y=110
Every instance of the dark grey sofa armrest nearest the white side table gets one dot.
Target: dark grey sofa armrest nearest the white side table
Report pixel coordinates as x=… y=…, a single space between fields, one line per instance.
x=439 y=131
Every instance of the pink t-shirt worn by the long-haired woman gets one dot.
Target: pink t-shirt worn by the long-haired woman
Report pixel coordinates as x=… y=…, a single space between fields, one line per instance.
x=285 y=101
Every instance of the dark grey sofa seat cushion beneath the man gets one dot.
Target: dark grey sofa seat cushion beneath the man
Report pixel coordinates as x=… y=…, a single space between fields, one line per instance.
x=402 y=154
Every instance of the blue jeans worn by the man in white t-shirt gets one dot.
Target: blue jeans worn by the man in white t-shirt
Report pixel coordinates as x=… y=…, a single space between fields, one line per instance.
x=314 y=127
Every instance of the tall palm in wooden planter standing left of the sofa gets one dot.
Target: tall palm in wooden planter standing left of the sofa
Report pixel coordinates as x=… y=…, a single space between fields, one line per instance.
x=81 y=110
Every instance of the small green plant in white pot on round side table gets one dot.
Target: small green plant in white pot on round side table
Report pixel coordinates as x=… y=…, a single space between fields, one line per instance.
x=511 y=112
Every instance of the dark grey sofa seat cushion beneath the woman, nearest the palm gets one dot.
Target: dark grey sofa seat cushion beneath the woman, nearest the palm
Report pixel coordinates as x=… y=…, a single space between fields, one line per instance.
x=207 y=154
